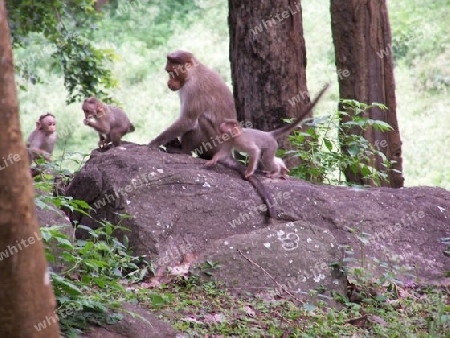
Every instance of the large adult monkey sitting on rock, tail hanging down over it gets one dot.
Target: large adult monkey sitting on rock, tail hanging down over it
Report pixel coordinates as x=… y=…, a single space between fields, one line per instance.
x=205 y=102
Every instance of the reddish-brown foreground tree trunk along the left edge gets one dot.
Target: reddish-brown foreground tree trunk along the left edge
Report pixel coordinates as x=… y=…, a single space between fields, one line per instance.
x=26 y=294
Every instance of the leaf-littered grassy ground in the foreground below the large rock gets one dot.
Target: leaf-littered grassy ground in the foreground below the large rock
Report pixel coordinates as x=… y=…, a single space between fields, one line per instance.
x=209 y=309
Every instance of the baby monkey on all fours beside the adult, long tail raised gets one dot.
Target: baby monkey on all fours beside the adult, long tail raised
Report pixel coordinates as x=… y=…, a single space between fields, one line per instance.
x=261 y=146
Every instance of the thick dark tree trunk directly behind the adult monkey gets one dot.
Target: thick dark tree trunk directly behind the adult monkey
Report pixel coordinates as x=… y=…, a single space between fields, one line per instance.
x=268 y=62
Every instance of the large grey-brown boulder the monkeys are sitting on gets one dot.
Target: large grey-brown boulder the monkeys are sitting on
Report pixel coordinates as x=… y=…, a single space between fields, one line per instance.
x=179 y=206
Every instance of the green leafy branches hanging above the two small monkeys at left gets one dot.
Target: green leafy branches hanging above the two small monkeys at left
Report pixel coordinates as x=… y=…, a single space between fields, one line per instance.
x=87 y=70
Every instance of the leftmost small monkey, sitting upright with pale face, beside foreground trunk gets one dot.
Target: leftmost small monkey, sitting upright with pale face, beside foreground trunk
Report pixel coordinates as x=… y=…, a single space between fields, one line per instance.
x=42 y=139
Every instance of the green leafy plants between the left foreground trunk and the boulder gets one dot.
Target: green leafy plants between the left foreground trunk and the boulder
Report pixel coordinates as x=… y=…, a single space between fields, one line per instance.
x=92 y=273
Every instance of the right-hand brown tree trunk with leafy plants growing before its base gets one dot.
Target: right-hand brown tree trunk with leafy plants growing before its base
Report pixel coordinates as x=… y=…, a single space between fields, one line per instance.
x=362 y=39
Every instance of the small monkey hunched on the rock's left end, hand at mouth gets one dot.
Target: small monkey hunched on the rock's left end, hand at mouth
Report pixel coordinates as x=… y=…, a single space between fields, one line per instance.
x=110 y=122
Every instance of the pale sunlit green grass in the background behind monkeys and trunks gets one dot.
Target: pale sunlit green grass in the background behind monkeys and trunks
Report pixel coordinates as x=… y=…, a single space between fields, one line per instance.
x=420 y=30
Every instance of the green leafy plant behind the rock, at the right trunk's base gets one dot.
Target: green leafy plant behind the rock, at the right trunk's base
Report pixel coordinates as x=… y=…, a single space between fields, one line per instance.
x=331 y=148
